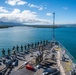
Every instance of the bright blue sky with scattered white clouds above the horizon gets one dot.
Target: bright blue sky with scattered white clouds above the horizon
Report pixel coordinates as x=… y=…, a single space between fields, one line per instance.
x=38 y=11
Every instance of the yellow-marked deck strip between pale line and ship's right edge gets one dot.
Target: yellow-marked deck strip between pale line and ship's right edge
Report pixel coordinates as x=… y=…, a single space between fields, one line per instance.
x=66 y=61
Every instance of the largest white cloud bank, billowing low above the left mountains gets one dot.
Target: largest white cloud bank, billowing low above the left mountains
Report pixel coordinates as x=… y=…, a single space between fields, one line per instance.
x=25 y=16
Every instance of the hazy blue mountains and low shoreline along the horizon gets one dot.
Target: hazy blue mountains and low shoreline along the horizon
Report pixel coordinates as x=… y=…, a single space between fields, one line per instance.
x=45 y=26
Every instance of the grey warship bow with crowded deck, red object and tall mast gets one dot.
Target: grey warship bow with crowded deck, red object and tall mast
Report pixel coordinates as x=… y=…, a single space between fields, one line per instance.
x=44 y=58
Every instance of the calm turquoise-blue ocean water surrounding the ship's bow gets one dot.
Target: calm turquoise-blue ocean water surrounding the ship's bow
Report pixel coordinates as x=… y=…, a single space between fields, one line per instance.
x=14 y=36
